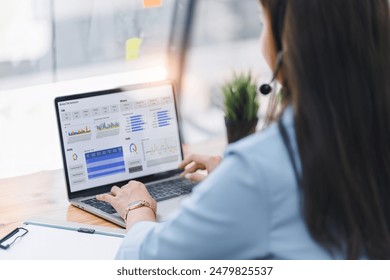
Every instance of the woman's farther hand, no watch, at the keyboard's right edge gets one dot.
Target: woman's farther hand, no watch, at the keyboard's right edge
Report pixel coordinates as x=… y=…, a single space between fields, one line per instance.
x=193 y=163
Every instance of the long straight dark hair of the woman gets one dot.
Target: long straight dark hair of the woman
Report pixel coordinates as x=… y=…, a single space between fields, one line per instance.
x=337 y=66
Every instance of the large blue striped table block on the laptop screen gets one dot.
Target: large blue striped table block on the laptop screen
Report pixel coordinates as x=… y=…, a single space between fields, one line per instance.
x=105 y=163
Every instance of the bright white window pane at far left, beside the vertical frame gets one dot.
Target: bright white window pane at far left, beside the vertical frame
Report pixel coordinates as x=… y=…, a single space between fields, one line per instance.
x=26 y=55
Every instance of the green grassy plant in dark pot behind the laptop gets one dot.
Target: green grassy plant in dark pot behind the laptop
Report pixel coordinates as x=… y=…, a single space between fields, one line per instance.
x=241 y=105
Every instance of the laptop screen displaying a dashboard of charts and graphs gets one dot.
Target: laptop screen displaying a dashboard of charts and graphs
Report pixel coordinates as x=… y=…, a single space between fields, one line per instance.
x=119 y=136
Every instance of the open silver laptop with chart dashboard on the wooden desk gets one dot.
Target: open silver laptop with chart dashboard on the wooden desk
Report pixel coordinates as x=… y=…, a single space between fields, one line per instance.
x=113 y=136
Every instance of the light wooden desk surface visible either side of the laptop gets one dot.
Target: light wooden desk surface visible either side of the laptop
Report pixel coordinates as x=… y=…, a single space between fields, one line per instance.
x=43 y=195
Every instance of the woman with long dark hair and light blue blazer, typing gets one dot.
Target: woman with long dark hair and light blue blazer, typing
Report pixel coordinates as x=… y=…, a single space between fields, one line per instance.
x=315 y=185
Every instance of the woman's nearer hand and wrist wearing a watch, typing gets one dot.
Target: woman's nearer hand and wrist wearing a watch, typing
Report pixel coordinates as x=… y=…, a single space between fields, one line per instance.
x=120 y=198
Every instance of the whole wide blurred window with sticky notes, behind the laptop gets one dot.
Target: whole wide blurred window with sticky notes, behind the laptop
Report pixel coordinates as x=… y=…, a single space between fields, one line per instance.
x=46 y=41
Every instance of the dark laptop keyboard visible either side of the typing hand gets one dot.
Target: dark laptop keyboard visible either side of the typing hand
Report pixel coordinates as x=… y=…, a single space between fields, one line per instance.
x=159 y=191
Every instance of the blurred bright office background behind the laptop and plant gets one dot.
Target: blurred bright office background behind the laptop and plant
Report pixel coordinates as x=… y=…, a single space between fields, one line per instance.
x=50 y=48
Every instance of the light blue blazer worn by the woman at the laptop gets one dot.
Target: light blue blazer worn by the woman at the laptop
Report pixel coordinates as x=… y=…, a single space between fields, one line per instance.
x=248 y=208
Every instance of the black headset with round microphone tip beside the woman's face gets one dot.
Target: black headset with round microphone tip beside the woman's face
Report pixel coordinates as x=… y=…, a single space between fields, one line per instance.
x=277 y=24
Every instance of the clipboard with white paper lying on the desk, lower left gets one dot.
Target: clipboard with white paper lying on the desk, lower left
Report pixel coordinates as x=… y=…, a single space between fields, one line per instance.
x=53 y=240
